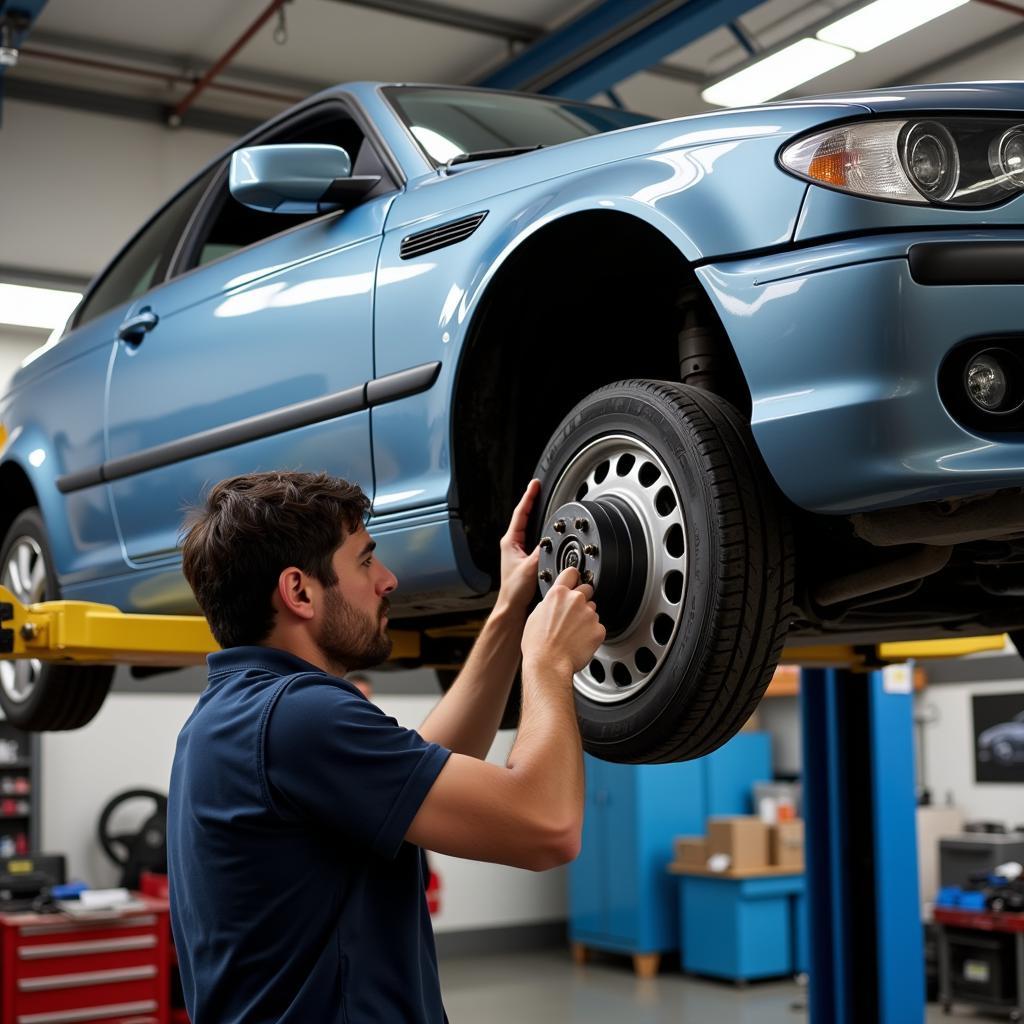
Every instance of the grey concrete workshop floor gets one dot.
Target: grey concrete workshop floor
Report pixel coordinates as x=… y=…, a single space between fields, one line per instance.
x=546 y=989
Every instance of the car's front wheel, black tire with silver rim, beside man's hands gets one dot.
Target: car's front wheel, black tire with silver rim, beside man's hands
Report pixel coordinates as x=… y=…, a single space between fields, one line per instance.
x=679 y=675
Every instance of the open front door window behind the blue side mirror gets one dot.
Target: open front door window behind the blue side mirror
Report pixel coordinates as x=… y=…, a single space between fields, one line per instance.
x=229 y=226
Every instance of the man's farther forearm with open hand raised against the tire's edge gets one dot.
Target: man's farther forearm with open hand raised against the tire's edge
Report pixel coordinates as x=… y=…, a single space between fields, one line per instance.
x=467 y=717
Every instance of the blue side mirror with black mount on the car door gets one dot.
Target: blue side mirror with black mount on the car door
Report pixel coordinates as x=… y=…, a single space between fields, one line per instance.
x=308 y=179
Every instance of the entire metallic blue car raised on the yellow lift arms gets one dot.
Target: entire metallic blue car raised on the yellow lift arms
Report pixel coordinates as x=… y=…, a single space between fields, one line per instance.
x=767 y=363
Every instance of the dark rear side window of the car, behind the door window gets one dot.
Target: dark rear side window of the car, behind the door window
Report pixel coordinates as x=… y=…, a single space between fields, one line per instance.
x=138 y=270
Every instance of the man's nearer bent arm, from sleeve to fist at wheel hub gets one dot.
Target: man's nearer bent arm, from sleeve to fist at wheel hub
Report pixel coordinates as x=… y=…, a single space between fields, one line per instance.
x=530 y=813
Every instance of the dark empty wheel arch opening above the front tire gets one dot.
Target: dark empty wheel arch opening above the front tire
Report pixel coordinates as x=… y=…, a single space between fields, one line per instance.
x=559 y=319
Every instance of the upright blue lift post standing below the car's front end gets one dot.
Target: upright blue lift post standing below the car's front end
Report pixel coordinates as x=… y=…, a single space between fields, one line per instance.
x=867 y=950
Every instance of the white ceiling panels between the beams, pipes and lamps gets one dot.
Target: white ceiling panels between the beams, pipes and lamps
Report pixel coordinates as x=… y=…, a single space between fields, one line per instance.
x=334 y=41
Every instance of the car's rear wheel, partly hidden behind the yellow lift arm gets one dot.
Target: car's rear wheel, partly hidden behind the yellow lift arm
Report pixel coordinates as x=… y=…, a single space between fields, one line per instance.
x=44 y=696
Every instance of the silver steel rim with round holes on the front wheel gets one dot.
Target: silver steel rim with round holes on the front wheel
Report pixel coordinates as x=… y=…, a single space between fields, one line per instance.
x=643 y=647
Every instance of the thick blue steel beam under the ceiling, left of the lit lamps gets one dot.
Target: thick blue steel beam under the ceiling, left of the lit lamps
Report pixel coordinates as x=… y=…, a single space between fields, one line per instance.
x=611 y=42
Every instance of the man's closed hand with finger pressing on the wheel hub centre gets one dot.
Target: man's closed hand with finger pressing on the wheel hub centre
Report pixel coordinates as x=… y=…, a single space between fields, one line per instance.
x=564 y=629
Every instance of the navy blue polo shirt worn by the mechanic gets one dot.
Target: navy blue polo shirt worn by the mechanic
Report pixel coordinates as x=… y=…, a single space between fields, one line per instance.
x=294 y=897
